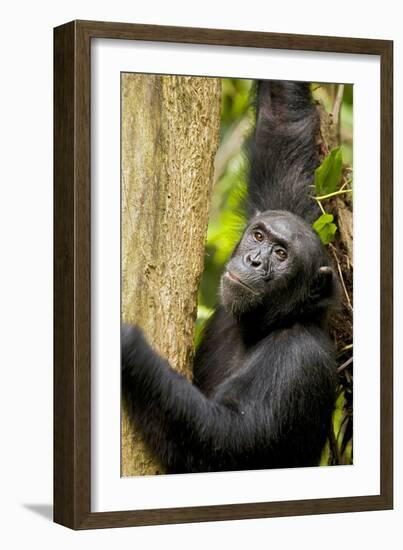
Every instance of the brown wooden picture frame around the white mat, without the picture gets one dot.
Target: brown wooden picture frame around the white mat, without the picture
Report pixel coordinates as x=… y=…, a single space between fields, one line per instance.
x=72 y=270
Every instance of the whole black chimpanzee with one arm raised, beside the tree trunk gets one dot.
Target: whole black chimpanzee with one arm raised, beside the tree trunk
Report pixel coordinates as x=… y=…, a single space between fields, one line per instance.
x=264 y=374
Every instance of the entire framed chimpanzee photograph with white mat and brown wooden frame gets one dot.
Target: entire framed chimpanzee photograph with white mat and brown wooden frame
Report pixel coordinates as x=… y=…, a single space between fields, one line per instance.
x=223 y=228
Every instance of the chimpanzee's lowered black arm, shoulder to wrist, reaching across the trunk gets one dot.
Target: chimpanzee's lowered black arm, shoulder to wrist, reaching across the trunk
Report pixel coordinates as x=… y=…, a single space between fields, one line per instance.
x=247 y=425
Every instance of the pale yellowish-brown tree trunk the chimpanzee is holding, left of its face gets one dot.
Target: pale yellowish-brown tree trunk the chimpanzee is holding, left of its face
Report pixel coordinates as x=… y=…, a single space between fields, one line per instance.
x=170 y=134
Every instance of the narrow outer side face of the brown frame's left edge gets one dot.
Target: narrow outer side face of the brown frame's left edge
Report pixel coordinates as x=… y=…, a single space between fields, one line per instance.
x=63 y=332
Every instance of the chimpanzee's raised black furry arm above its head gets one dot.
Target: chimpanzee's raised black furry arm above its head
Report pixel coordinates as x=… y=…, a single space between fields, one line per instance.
x=283 y=152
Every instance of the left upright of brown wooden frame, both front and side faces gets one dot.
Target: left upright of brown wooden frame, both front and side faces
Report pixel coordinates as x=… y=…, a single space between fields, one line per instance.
x=72 y=290
